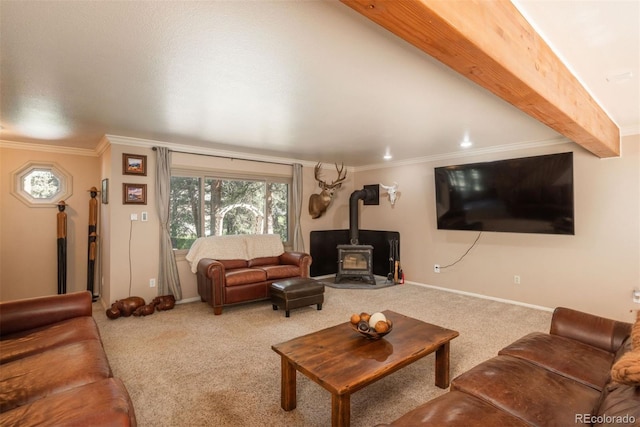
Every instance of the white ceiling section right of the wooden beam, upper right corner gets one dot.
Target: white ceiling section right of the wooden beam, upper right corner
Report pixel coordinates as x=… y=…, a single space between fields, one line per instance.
x=597 y=40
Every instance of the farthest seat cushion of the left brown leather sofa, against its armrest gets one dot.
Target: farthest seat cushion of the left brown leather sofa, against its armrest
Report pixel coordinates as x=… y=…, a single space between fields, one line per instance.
x=33 y=341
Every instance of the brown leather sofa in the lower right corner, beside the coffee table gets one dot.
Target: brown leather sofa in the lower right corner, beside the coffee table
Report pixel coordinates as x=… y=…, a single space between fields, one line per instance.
x=557 y=379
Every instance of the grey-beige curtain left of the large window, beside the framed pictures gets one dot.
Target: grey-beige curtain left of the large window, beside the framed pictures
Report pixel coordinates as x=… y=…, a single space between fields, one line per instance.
x=168 y=279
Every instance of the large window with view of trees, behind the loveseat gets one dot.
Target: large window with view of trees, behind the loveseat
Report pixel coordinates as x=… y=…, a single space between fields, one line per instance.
x=215 y=206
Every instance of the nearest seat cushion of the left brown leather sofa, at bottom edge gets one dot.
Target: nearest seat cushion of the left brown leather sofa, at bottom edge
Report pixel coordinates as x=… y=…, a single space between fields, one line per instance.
x=102 y=403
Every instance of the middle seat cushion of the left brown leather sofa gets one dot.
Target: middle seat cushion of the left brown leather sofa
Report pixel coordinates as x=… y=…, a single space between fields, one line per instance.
x=59 y=369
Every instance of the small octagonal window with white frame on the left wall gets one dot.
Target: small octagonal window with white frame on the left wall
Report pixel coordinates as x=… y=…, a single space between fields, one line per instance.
x=41 y=184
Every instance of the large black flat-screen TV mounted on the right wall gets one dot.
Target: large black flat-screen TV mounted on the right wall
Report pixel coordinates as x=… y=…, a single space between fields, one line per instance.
x=525 y=195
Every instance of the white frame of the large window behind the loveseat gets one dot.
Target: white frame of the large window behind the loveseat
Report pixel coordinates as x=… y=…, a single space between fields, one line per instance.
x=203 y=174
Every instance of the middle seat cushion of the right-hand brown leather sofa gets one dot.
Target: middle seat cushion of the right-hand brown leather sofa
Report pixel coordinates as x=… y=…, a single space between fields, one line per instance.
x=528 y=391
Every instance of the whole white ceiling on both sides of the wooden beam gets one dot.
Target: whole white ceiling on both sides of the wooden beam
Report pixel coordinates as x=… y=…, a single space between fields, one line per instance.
x=309 y=80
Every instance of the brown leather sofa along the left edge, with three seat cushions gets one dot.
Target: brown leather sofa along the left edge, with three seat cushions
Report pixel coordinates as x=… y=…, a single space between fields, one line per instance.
x=53 y=368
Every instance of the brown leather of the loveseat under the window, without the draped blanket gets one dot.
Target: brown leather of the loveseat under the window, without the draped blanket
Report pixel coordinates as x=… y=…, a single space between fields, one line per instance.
x=227 y=282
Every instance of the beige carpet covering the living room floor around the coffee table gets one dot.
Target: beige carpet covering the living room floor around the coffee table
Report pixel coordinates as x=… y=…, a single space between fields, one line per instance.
x=187 y=367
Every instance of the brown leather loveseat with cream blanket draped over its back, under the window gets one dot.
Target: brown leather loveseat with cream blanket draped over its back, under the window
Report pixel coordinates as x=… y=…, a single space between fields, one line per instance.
x=240 y=268
